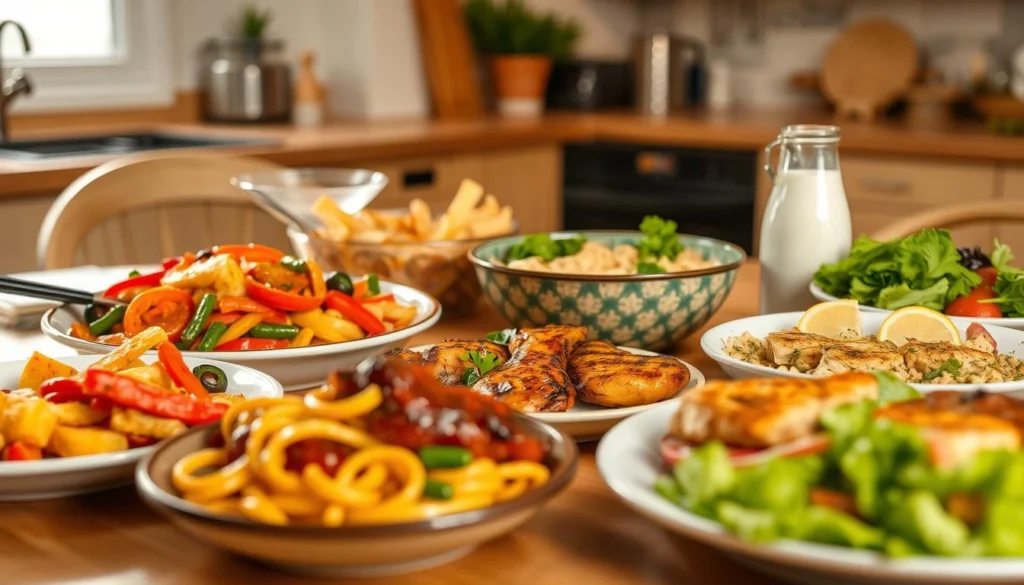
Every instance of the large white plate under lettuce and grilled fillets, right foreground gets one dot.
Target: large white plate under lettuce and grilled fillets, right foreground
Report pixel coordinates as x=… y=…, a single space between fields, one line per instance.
x=628 y=459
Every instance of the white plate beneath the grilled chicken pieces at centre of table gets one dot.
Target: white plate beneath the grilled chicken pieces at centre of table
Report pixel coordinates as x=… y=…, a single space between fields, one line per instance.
x=589 y=423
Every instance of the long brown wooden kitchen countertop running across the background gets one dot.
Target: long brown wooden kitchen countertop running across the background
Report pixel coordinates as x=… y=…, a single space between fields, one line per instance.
x=344 y=143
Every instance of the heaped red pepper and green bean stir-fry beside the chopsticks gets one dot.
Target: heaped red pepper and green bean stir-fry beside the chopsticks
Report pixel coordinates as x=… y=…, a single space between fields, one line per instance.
x=245 y=298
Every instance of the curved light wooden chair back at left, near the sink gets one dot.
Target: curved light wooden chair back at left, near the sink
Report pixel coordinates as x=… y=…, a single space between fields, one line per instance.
x=142 y=210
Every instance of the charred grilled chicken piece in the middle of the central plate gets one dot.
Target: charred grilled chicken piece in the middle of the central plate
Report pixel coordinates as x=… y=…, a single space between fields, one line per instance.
x=535 y=378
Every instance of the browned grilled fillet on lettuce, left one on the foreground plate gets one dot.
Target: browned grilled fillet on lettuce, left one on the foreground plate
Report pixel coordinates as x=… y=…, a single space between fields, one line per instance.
x=759 y=413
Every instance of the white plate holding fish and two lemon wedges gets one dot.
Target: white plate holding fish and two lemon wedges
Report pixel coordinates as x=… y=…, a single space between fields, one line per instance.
x=713 y=343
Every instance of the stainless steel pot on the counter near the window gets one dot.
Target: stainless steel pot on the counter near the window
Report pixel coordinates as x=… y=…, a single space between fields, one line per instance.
x=246 y=81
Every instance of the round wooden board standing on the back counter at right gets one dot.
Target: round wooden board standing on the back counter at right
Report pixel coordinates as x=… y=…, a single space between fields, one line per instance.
x=870 y=66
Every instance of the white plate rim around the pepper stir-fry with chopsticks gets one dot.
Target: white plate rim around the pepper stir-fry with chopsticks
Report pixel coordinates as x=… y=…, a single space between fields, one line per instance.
x=425 y=320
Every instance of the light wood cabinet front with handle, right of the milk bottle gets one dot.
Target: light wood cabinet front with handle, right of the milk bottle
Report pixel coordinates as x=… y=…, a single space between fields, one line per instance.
x=884 y=190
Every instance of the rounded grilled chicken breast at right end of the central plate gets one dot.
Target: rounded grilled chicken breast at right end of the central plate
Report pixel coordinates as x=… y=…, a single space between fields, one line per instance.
x=606 y=375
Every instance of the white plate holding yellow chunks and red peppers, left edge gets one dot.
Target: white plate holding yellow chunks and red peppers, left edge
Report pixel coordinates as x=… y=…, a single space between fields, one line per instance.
x=68 y=476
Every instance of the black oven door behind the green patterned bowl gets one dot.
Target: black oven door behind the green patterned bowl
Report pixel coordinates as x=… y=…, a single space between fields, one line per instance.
x=727 y=216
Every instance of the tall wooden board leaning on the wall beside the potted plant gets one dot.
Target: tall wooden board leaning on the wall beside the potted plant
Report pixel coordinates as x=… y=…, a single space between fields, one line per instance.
x=449 y=60
